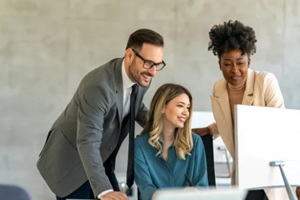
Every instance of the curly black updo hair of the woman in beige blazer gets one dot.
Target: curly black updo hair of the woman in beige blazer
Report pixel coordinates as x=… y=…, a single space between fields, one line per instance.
x=232 y=35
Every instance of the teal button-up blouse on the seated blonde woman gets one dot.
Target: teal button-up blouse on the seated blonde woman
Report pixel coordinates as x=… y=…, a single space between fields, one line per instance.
x=153 y=172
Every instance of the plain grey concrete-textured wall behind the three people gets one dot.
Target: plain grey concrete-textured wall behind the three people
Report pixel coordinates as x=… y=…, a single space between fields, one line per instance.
x=46 y=47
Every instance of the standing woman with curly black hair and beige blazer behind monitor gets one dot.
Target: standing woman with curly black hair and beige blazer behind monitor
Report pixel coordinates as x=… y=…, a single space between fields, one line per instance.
x=234 y=44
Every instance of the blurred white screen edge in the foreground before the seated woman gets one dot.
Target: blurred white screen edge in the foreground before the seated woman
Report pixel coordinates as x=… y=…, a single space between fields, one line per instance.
x=195 y=194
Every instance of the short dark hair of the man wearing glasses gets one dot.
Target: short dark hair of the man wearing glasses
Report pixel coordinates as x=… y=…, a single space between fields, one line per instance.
x=141 y=36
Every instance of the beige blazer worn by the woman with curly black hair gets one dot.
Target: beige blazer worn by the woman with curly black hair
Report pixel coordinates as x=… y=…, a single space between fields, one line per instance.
x=262 y=89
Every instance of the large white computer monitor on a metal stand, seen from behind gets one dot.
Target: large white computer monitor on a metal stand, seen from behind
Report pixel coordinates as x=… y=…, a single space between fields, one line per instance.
x=263 y=135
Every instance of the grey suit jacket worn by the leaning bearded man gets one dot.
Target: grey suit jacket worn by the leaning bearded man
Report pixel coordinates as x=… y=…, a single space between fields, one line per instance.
x=87 y=132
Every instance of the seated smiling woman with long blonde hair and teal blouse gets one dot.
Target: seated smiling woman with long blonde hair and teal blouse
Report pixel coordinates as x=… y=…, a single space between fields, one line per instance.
x=167 y=154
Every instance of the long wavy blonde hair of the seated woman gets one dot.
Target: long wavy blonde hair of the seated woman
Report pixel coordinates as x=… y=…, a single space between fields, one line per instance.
x=183 y=136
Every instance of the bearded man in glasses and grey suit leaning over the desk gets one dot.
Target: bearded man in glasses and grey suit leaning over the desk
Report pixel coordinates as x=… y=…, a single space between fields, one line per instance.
x=78 y=158
